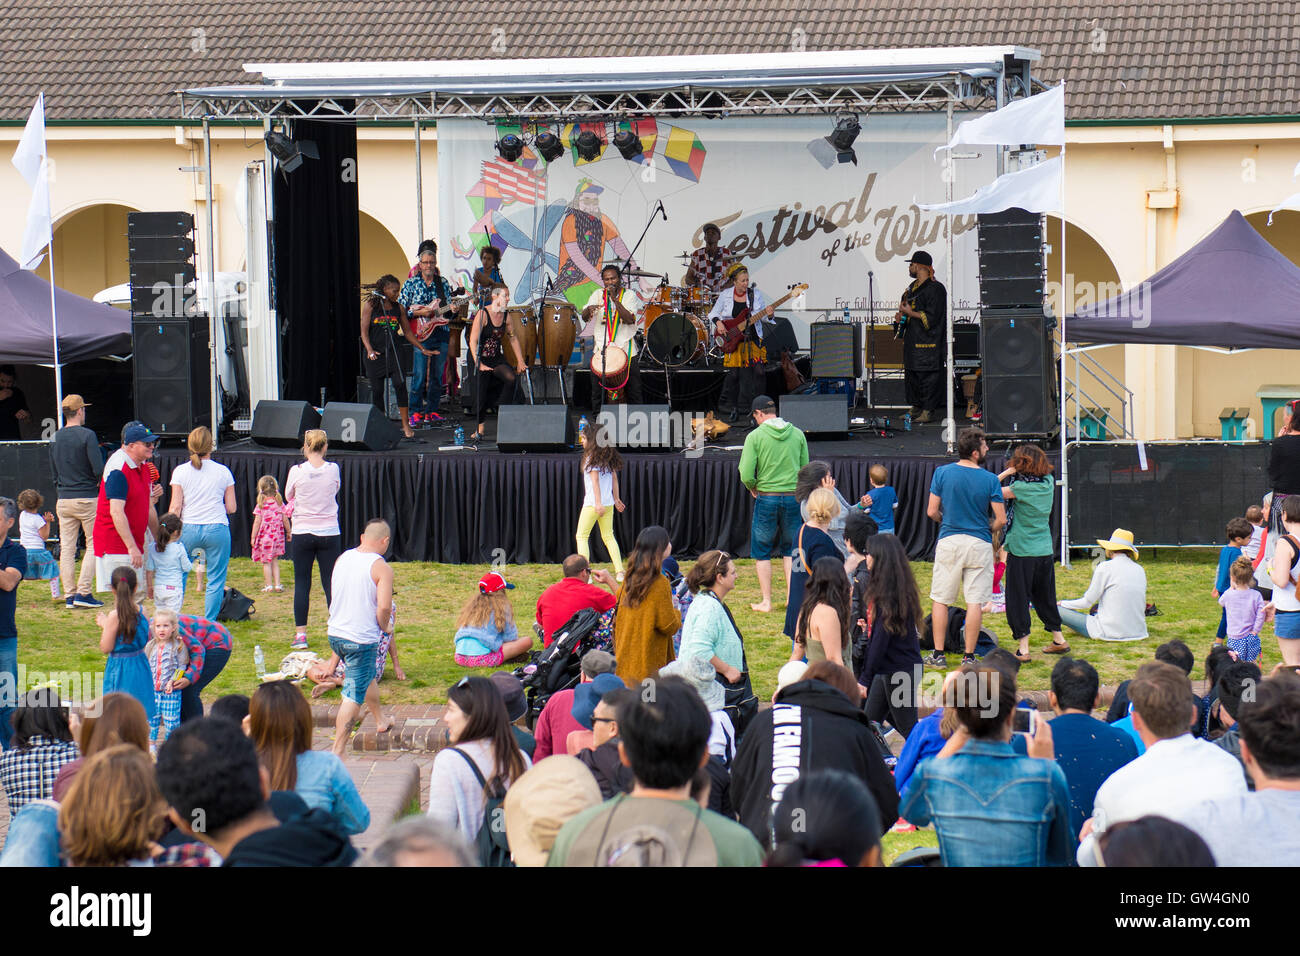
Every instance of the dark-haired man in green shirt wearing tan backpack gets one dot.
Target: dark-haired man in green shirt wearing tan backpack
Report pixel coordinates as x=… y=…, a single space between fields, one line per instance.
x=665 y=739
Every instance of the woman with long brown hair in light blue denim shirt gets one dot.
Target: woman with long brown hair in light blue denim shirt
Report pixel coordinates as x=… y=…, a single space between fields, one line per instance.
x=280 y=724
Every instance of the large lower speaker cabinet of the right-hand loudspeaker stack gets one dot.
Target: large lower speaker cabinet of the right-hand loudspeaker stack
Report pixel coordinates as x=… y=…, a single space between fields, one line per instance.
x=1020 y=386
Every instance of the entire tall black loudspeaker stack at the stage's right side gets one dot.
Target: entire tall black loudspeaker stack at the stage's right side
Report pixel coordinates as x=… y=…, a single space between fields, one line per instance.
x=1020 y=386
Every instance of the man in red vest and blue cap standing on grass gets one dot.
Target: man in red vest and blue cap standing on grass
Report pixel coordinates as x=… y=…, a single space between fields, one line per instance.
x=124 y=511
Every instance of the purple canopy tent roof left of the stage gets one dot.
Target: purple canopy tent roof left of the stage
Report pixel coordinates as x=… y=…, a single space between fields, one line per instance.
x=86 y=330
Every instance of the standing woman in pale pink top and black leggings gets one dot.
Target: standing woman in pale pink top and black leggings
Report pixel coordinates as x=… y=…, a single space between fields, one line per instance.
x=313 y=496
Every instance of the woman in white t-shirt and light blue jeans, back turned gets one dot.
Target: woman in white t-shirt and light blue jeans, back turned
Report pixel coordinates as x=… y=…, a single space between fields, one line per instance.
x=203 y=495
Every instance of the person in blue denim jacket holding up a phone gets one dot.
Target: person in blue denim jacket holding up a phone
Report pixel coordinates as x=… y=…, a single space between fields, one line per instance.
x=990 y=806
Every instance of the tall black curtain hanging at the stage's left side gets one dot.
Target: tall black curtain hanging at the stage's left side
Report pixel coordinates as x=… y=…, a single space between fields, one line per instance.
x=317 y=265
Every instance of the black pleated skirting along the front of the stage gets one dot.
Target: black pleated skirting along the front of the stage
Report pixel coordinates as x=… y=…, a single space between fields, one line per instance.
x=469 y=508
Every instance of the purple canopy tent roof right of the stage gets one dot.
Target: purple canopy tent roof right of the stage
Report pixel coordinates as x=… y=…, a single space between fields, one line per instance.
x=1232 y=291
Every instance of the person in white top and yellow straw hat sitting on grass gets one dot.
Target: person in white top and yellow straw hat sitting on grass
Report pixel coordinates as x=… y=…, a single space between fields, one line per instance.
x=1119 y=591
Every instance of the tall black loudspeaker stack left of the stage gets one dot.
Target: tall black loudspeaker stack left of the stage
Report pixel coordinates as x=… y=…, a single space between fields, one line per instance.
x=170 y=339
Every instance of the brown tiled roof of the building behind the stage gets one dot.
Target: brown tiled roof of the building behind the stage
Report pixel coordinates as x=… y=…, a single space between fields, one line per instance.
x=124 y=59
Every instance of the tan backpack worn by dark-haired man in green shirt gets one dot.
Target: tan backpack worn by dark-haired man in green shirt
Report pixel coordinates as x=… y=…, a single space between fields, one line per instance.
x=653 y=833
